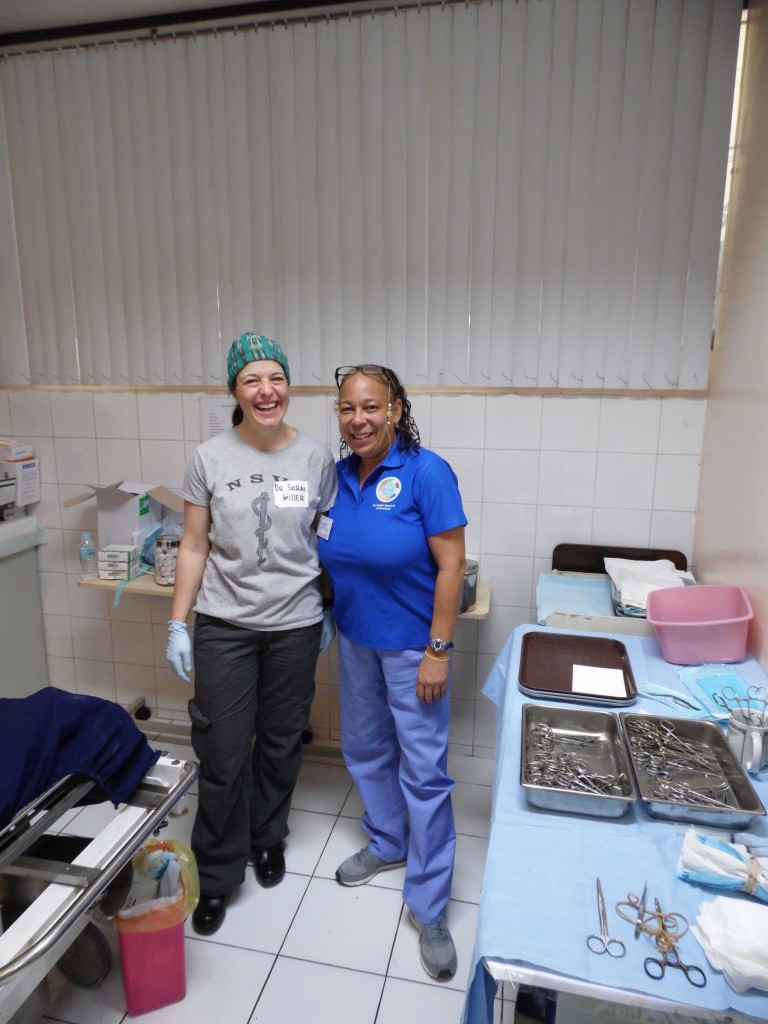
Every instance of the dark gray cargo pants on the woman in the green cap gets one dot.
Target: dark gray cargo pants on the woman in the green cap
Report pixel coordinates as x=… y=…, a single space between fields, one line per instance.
x=253 y=693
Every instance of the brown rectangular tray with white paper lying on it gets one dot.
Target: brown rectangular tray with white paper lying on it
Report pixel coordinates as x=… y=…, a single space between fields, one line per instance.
x=547 y=663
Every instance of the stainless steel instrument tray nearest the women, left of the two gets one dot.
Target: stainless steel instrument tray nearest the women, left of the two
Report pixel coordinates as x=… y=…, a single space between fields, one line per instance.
x=589 y=737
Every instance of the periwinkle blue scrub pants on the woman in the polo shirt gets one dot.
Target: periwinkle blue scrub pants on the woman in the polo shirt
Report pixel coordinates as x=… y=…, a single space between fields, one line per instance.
x=397 y=752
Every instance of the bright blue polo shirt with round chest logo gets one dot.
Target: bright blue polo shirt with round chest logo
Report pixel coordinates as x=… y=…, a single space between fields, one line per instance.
x=377 y=554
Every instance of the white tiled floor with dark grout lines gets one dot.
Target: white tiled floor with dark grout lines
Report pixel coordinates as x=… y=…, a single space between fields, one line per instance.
x=311 y=951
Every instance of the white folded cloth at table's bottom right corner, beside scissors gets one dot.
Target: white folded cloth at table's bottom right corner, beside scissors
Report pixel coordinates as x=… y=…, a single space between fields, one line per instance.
x=732 y=932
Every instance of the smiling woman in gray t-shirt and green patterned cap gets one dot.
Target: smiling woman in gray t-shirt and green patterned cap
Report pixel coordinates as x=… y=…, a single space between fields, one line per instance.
x=248 y=568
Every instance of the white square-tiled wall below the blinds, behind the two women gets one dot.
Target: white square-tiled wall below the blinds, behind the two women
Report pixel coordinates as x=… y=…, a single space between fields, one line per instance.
x=534 y=472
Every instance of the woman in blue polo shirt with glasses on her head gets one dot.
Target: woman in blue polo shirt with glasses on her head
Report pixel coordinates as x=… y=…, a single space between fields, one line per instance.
x=394 y=549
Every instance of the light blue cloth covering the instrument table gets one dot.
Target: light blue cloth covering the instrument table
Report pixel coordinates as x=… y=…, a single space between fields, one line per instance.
x=539 y=902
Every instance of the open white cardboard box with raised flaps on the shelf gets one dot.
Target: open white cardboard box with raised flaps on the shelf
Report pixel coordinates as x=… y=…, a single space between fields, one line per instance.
x=127 y=511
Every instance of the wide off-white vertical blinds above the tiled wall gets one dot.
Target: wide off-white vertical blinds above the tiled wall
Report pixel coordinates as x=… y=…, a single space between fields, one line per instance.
x=497 y=194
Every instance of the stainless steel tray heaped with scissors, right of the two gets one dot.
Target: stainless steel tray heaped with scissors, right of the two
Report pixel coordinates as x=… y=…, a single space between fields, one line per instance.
x=743 y=803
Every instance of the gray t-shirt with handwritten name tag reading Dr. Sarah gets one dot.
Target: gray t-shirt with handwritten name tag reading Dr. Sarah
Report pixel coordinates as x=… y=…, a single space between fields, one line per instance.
x=263 y=569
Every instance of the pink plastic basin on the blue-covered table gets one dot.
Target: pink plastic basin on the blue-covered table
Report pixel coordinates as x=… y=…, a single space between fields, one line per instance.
x=701 y=624
